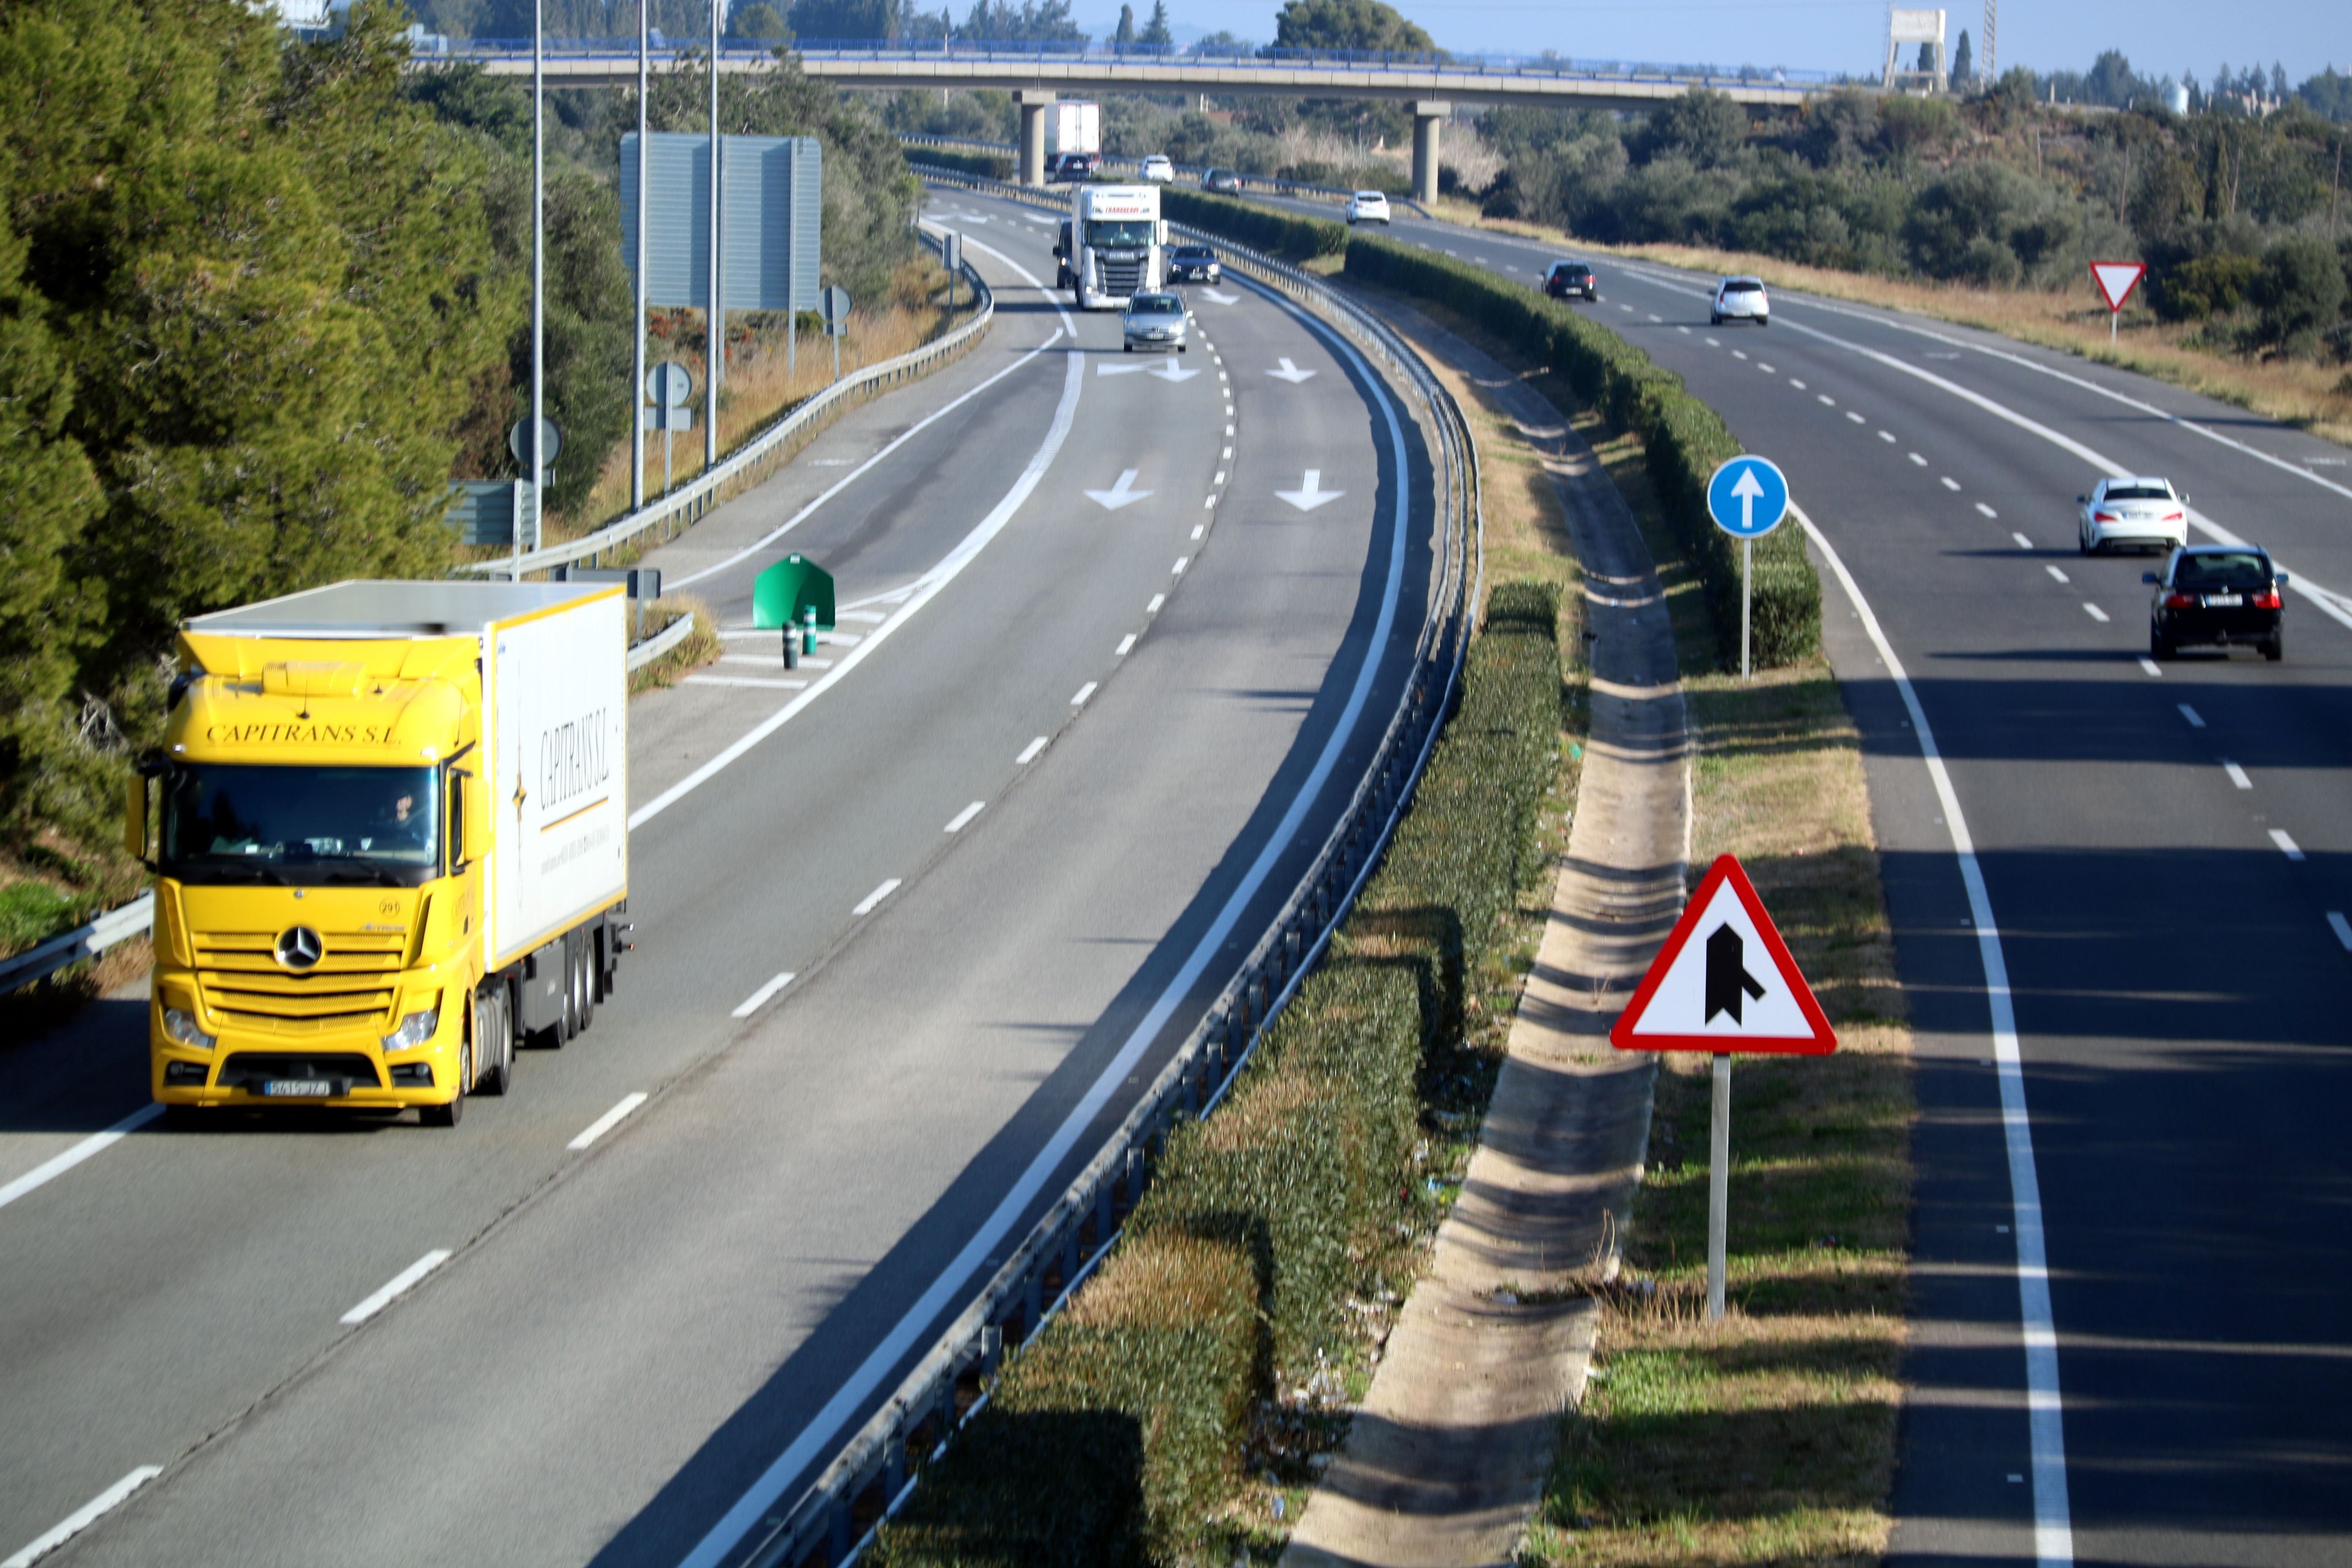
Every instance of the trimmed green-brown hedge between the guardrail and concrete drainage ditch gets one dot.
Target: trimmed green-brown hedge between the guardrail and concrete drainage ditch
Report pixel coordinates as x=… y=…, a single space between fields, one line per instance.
x=1121 y=1430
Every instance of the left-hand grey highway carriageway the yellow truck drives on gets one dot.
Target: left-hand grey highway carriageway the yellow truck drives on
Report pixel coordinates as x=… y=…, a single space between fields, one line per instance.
x=1005 y=843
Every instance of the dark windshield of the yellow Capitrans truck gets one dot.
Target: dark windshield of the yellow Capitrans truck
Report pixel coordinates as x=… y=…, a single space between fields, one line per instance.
x=302 y=824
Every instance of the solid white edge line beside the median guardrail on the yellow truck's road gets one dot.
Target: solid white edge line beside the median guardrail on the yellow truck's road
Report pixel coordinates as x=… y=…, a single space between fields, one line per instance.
x=862 y=1383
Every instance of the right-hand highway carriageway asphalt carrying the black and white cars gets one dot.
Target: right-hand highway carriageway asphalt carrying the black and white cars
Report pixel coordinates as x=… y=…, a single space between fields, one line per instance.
x=2167 y=855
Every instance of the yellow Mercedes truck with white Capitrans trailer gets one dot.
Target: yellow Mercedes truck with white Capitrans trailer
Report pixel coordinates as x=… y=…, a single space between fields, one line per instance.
x=392 y=838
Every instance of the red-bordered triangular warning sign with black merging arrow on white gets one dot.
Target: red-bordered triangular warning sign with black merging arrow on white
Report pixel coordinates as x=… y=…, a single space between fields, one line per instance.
x=1725 y=981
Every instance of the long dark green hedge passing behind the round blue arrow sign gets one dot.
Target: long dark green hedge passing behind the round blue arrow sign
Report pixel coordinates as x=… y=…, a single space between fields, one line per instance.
x=1683 y=436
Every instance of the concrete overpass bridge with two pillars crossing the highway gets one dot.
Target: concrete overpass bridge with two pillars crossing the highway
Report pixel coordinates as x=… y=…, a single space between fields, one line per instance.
x=1041 y=74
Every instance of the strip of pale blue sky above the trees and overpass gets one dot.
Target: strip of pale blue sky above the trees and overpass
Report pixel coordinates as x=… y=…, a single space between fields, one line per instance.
x=2160 y=36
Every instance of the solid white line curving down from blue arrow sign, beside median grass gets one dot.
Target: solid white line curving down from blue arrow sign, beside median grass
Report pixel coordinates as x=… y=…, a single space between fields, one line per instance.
x=2054 y=1529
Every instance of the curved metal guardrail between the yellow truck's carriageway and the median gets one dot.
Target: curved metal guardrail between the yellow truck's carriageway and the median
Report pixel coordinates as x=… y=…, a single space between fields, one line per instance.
x=871 y=1475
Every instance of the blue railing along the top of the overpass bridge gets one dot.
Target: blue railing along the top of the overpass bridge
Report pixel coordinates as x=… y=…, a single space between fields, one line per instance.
x=1095 y=53
